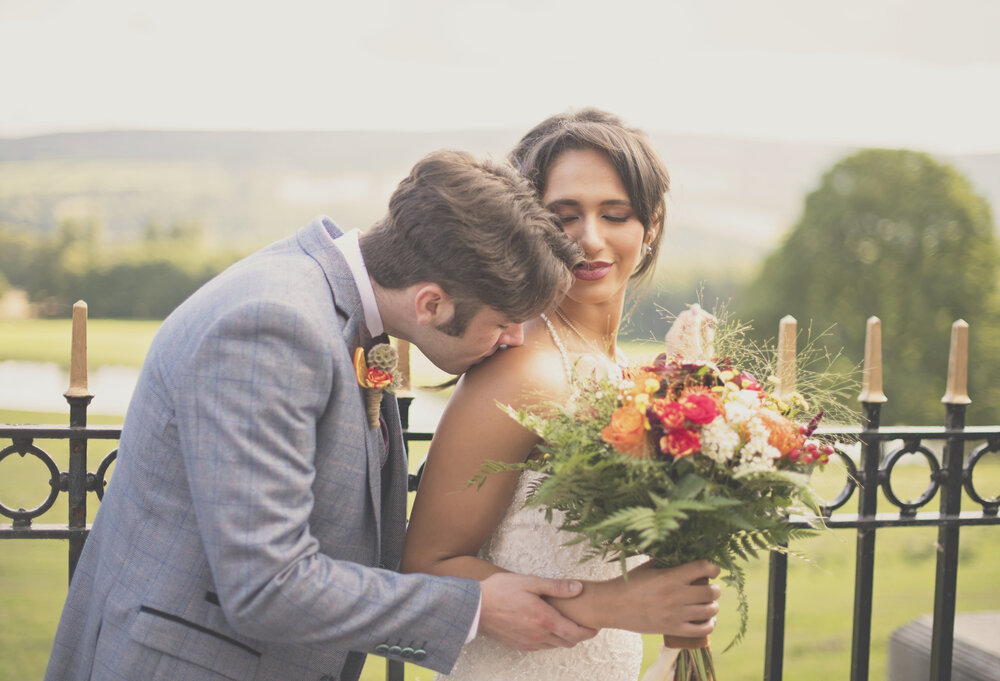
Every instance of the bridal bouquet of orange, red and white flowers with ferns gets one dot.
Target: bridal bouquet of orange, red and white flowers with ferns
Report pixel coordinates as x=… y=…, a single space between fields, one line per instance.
x=679 y=460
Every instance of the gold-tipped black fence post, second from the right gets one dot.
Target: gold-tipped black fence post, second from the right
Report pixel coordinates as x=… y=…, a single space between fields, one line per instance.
x=871 y=399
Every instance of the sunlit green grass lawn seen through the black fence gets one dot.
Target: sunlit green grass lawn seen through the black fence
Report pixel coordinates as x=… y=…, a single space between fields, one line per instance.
x=33 y=573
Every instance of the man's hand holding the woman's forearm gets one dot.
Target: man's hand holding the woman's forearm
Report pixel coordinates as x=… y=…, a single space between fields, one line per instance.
x=514 y=613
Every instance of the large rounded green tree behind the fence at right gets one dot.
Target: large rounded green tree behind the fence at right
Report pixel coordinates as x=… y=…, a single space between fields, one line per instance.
x=898 y=235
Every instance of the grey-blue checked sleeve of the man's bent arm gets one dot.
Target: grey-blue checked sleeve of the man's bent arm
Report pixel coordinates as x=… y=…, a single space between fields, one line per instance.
x=247 y=400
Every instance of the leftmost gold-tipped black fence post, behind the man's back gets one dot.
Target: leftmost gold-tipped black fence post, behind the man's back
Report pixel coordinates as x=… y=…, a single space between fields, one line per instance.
x=78 y=397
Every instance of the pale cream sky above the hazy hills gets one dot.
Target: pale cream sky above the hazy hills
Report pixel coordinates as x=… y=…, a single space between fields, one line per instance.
x=916 y=73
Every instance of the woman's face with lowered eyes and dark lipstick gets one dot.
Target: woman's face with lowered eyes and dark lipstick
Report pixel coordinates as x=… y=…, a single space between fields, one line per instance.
x=584 y=190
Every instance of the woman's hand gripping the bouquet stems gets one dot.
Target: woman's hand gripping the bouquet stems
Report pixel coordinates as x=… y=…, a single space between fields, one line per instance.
x=677 y=601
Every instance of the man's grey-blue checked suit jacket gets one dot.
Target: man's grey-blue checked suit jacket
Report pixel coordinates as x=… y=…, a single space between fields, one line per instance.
x=254 y=521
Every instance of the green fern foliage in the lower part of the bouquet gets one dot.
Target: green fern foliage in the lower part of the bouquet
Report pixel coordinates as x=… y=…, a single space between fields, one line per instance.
x=673 y=510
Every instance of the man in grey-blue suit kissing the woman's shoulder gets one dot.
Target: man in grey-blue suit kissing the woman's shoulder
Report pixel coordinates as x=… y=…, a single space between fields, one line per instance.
x=255 y=519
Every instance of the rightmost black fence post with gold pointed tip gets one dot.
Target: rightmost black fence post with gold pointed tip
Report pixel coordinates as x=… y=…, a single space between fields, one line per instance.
x=956 y=399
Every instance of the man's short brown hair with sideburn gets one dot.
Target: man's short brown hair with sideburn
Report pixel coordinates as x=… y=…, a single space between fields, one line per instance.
x=476 y=229
